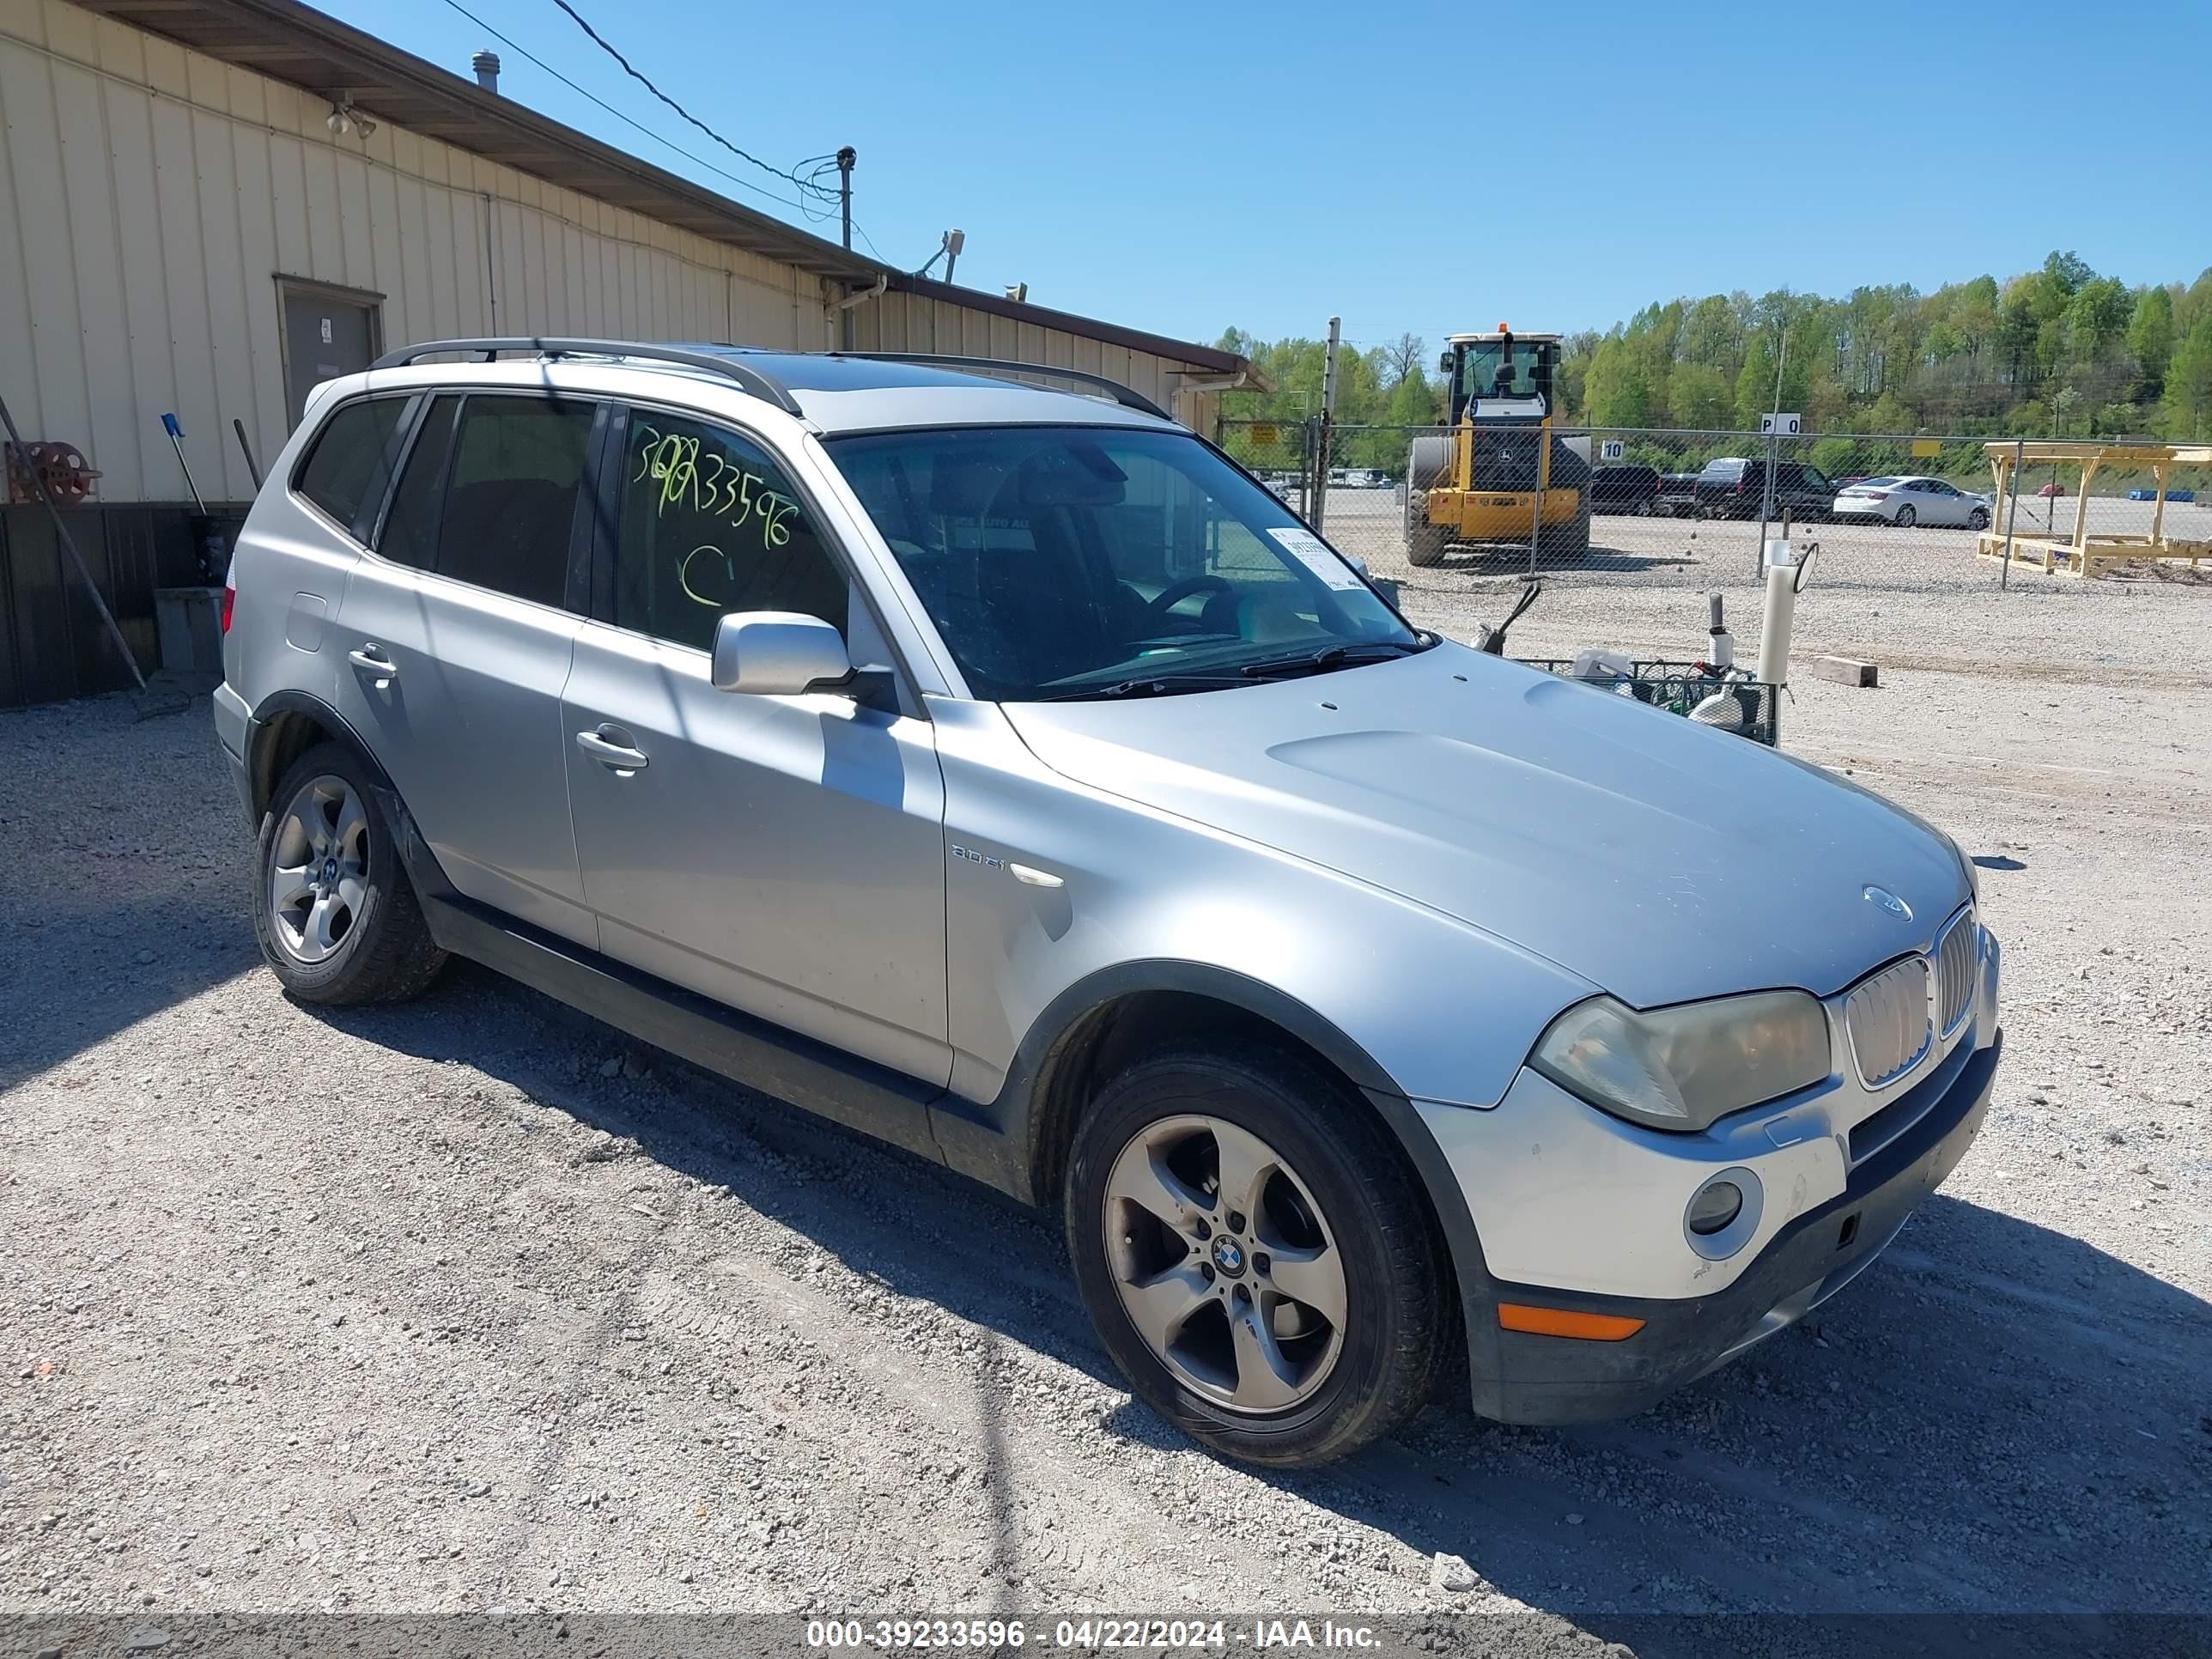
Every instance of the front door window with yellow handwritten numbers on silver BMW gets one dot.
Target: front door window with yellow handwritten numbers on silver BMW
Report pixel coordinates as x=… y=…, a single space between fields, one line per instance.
x=711 y=525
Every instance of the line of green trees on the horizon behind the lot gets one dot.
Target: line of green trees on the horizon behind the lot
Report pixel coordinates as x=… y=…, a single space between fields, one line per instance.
x=2052 y=353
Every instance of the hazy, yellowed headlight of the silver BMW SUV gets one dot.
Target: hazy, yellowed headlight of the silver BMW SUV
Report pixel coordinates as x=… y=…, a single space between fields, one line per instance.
x=1691 y=1065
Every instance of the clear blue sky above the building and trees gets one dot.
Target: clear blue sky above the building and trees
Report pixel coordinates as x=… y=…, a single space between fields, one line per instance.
x=1415 y=167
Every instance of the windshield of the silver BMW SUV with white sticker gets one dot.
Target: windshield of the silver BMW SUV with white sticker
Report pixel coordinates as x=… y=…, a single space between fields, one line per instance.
x=1103 y=561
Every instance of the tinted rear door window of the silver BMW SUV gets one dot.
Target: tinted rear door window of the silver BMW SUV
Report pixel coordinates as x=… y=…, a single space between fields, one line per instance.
x=490 y=494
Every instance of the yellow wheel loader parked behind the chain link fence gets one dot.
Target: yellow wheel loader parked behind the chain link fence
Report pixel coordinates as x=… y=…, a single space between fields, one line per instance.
x=1481 y=483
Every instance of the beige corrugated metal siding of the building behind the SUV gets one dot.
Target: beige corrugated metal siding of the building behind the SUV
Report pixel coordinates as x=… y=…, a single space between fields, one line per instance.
x=152 y=198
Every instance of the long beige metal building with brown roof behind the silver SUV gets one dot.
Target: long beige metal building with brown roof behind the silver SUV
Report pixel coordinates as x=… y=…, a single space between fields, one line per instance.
x=182 y=231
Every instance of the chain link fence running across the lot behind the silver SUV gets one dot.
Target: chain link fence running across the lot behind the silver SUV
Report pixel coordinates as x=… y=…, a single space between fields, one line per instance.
x=1684 y=508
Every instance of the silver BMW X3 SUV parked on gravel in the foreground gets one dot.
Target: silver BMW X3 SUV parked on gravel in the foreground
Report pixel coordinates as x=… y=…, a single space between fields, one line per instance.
x=1008 y=775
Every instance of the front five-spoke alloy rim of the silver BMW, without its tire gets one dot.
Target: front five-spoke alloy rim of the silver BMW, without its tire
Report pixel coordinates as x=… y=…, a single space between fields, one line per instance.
x=1224 y=1264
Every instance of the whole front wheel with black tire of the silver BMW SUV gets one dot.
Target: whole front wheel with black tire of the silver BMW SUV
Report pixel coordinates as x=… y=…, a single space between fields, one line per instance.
x=1238 y=1359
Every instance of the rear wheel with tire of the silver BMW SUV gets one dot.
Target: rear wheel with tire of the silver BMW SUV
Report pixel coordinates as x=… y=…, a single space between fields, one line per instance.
x=335 y=912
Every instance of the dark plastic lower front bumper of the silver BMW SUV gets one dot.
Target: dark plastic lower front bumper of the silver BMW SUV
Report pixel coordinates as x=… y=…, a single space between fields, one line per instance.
x=1545 y=1379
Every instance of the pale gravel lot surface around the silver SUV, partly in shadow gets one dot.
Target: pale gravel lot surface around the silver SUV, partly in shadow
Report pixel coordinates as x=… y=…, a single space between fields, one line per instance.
x=477 y=1306
